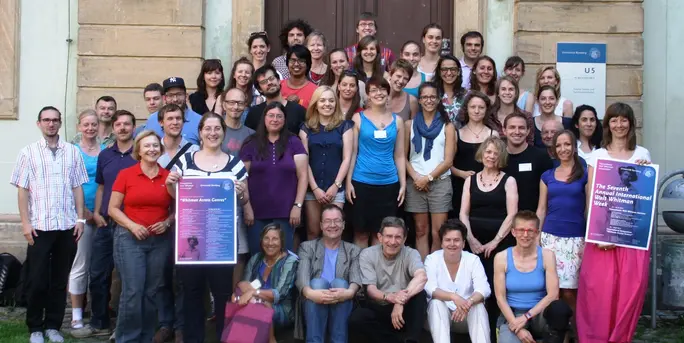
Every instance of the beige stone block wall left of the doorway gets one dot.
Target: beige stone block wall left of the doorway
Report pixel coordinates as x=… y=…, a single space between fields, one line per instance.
x=123 y=45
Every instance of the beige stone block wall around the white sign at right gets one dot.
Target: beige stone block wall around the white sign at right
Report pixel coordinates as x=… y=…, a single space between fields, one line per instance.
x=541 y=24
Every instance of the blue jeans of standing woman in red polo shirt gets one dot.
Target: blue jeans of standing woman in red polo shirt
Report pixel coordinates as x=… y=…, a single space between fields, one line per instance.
x=141 y=265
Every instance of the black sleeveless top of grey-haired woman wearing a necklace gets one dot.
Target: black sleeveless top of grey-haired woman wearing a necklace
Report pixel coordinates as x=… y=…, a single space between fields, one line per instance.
x=487 y=209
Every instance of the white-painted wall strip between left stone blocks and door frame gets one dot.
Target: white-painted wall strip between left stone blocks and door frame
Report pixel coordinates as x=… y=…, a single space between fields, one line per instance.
x=218 y=22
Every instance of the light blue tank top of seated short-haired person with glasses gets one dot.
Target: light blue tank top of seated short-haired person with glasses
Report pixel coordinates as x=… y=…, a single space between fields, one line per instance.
x=525 y=290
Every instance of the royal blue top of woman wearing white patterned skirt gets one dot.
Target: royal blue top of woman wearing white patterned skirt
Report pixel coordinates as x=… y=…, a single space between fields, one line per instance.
x=566 y=204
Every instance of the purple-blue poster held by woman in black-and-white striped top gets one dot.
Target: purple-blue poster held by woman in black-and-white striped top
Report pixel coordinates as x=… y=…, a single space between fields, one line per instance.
x=206 y=221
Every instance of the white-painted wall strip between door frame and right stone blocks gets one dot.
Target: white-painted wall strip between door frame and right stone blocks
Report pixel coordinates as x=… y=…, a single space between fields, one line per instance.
x=500 y=35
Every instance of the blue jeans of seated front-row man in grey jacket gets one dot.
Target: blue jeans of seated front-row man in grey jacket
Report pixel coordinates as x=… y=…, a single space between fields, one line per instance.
x=334 y=317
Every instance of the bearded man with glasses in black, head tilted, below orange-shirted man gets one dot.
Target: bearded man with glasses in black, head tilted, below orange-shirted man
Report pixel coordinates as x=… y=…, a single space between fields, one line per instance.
x=268 y=84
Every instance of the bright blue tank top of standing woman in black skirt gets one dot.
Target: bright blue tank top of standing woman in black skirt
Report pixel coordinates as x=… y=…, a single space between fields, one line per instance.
x=375 y=157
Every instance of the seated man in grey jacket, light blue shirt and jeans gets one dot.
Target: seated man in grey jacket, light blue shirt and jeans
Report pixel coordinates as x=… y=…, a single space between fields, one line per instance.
x=328 y=278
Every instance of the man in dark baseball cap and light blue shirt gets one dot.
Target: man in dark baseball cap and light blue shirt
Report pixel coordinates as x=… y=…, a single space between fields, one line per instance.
x=176 y=93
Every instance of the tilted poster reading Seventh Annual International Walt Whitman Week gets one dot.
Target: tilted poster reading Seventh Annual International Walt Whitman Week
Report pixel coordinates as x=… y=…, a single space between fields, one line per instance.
x=622 y=204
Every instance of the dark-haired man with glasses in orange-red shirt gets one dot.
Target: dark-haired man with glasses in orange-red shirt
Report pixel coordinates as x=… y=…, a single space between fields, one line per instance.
x=298 y=88
